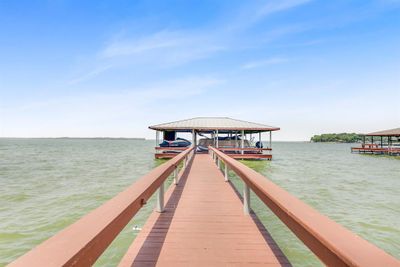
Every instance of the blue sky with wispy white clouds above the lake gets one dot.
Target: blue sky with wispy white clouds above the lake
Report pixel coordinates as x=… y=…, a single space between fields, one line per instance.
x=112 y=68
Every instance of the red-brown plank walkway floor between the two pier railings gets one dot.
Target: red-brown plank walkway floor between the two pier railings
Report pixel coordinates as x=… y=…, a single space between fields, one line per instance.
x=203 y=225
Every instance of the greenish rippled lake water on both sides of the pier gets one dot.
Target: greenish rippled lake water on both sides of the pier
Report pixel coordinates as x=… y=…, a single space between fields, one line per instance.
x=47 y=184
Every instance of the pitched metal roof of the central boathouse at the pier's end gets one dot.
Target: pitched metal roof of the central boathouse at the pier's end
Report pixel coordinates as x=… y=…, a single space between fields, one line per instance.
x=213 y=123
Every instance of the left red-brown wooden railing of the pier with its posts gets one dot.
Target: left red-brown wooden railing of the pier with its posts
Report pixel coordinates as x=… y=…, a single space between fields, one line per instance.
x=82 y=243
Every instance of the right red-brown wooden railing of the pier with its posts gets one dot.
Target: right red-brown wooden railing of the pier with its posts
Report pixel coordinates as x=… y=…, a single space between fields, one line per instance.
x=333 y=244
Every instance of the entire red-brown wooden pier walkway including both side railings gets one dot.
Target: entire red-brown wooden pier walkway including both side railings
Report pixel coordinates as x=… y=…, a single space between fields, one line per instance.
x=204 y=223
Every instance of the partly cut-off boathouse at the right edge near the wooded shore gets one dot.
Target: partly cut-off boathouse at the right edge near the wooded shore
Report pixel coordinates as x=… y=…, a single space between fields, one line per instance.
x=386 y=142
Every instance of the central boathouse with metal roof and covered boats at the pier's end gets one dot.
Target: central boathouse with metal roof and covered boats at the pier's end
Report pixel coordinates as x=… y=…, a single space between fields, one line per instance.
x=237 y=138
